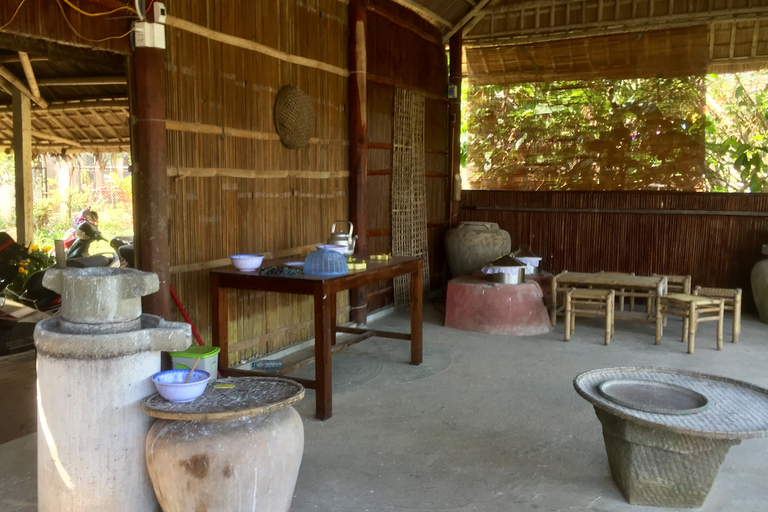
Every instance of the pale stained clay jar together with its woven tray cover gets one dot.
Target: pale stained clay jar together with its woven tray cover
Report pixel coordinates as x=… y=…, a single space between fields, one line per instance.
x=226 y=464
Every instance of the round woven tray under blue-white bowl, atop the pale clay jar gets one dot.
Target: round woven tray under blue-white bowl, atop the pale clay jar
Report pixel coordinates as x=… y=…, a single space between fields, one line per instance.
x=229 y=399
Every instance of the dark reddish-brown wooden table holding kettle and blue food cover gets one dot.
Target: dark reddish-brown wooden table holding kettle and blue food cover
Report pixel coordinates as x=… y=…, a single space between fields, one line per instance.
x=324 y=290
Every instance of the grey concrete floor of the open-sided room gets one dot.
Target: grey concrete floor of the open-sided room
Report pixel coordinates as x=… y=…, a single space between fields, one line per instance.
x=486 y=423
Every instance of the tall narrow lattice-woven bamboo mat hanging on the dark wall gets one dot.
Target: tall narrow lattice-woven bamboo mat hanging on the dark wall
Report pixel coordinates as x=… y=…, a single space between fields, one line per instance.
x=409 y=197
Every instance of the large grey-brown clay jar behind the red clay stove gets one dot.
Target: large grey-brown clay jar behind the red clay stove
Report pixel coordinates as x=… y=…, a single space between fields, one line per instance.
x=471 y=245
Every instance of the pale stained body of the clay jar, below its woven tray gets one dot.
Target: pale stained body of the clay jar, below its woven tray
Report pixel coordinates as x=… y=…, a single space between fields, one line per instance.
x=248 y=464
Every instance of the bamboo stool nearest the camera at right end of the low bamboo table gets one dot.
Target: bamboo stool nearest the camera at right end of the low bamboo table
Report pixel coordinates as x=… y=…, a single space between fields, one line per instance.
x=693 y=310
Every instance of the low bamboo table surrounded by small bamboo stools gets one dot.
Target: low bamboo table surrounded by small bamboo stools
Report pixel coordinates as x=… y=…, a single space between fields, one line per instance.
x=649 y=287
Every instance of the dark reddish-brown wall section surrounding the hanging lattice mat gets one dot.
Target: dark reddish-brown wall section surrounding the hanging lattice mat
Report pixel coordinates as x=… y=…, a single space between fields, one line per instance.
x=405 y=51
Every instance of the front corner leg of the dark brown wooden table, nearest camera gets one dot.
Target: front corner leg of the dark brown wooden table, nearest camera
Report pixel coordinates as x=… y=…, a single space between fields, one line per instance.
x=323 y=334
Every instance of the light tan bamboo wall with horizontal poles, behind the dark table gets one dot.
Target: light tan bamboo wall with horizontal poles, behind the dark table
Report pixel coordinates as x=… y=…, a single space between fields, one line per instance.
x=233 y=186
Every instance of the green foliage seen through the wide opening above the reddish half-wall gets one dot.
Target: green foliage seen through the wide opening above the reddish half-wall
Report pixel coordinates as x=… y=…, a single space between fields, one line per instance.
x=619 y=134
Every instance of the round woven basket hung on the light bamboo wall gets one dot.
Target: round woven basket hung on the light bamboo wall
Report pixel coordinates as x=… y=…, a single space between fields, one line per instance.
x=294 y=116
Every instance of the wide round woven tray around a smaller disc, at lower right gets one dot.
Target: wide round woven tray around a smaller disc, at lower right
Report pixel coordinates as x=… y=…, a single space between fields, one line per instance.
x=736 y=409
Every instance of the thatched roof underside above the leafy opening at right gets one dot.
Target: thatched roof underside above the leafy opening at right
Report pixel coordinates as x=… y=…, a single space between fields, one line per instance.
x=512 y=40
